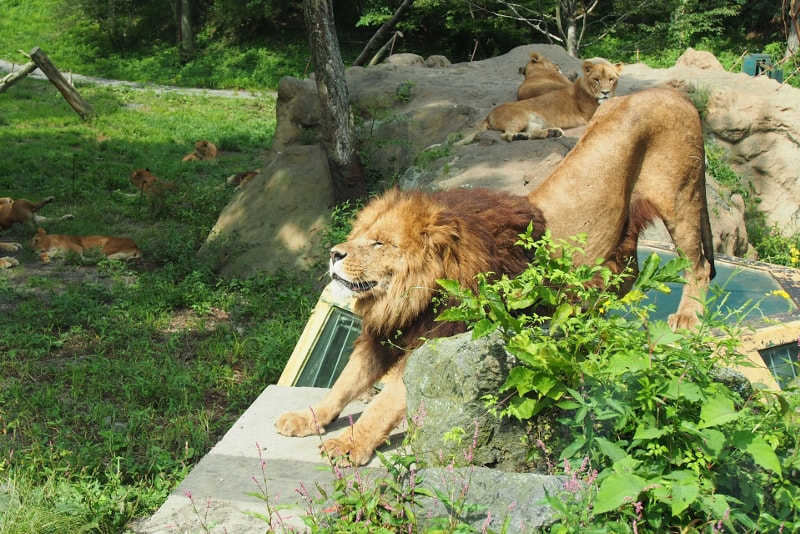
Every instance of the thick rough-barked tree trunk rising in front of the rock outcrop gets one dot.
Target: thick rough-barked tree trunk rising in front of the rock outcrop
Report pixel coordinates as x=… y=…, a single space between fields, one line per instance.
x=341 y=145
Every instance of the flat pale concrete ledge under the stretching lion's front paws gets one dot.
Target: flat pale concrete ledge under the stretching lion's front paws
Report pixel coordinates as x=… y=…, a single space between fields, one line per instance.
x=224 y=485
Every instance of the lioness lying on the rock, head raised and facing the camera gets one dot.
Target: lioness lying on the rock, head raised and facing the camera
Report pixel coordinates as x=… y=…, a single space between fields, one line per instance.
x=546 y=115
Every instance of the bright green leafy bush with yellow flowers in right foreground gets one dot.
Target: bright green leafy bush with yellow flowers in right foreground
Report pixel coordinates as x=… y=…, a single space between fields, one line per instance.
x=675 y=447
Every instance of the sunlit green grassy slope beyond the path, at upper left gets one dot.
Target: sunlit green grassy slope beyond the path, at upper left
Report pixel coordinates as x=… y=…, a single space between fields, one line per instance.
x=218 y=63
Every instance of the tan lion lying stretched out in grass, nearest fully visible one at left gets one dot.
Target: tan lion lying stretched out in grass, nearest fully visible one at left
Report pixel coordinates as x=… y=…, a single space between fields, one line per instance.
x=55 y=245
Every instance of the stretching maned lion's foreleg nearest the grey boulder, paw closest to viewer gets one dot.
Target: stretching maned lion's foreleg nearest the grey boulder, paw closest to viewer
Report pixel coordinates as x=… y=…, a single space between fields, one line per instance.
x=356 y=444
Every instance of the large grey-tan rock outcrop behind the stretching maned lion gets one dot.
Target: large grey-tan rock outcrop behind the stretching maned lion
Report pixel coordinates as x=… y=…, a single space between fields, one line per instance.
x=409 y=104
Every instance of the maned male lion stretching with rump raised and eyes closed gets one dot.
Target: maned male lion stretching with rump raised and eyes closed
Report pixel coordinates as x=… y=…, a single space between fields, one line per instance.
x=641 y=158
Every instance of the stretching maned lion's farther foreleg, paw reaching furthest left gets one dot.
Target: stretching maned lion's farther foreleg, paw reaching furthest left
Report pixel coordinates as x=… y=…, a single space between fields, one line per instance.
x=362 y=371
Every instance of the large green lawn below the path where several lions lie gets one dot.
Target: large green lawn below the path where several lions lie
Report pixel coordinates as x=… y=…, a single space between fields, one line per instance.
x=116 y=378
